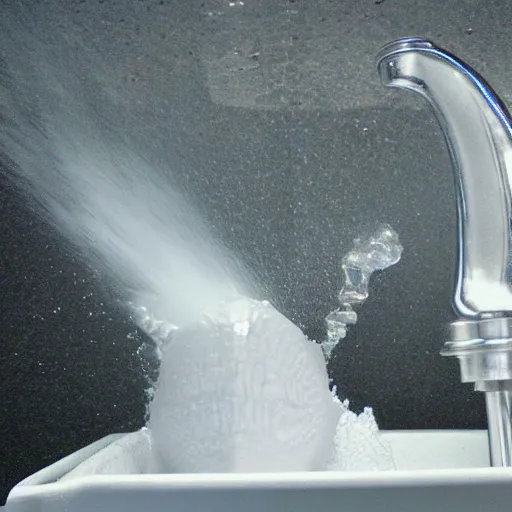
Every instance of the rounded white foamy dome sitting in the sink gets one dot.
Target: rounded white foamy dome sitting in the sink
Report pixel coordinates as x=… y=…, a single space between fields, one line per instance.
x=243 y=389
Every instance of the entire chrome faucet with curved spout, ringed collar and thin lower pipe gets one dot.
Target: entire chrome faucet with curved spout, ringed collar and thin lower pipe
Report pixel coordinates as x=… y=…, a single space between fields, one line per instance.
x=478 y=132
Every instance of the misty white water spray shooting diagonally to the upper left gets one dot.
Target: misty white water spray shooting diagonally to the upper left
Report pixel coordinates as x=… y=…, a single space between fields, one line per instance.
x=63 y=148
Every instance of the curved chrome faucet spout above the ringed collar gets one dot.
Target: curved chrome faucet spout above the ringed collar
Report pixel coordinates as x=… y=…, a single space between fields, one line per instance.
x=478 y=132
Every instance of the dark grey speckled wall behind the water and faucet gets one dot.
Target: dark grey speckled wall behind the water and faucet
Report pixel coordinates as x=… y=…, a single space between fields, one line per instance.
x=291 y=154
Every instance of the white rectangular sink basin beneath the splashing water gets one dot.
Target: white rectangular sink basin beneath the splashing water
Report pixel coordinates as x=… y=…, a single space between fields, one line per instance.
x=435 y=470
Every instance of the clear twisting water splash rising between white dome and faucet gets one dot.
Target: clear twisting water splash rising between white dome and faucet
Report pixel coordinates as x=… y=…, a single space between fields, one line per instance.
x=380 y=250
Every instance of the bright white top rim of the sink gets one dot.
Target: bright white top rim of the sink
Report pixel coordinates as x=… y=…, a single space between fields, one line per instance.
x=50 y=475
